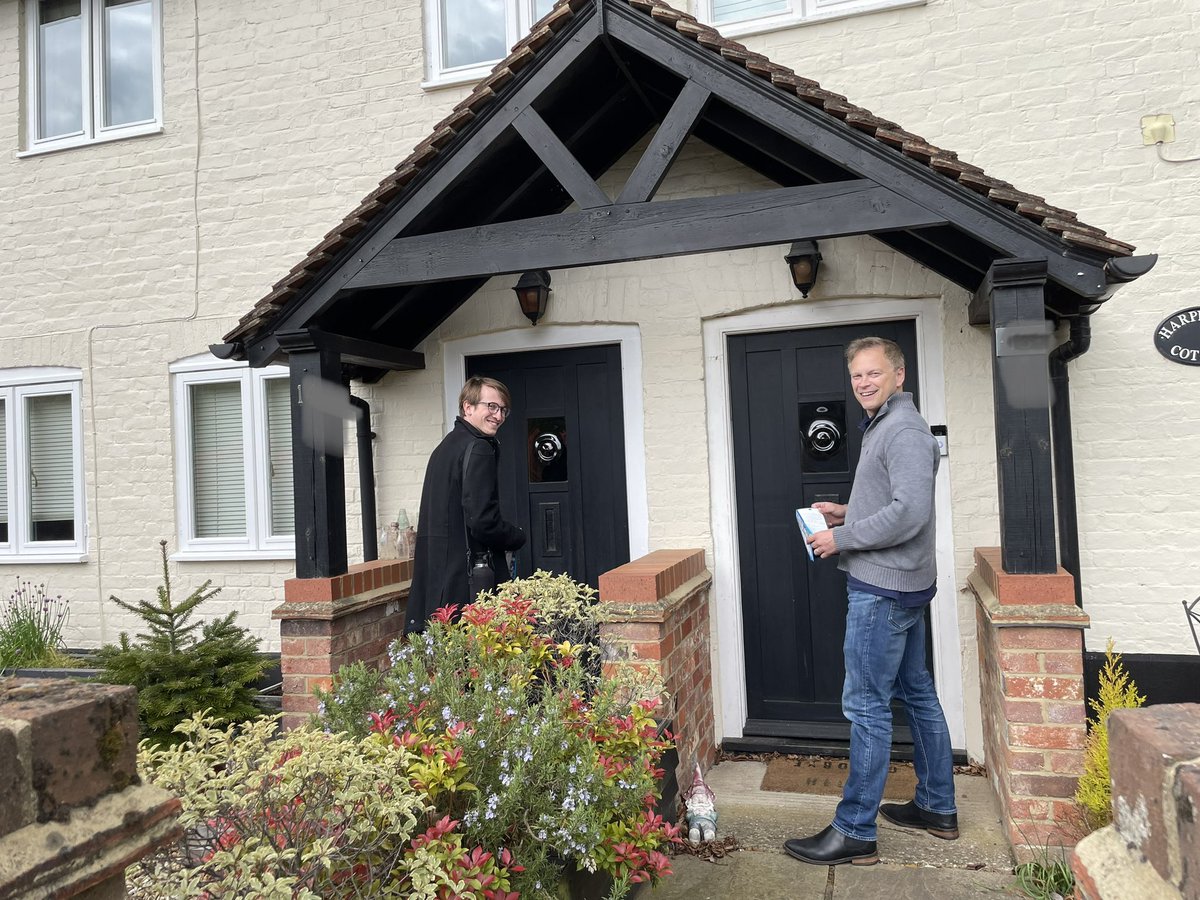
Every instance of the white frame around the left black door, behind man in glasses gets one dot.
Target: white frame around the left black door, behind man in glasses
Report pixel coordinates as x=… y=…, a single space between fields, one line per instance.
x=545 y=338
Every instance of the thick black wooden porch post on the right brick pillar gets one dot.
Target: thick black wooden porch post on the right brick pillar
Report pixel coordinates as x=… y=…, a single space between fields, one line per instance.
x=1022 y=335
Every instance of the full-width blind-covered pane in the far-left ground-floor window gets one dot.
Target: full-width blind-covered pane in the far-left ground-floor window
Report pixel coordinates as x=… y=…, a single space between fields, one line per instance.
x=51 y=469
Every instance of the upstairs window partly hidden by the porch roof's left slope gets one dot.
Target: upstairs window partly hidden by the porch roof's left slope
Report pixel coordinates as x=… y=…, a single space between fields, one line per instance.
x=466 y=38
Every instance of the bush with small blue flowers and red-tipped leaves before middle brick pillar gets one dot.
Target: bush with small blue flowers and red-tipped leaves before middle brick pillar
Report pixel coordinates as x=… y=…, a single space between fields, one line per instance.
x=541 y=763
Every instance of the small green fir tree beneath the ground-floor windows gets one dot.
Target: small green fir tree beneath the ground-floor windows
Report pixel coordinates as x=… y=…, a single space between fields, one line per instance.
x=179 y=673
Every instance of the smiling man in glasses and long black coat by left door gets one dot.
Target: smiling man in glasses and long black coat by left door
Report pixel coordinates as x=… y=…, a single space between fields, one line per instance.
x=461 y=506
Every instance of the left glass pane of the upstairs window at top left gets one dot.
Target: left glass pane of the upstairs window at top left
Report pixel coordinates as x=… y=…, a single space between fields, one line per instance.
x=59 y=68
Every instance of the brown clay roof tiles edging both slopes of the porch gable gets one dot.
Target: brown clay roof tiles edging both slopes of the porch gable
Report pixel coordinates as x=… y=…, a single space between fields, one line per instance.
x=1063 y=224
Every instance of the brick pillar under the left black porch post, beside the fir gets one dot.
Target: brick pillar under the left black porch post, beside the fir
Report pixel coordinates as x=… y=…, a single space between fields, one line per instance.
x=329 y=623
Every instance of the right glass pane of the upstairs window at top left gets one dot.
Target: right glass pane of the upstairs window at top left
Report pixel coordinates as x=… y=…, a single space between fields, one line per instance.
x=129 y=62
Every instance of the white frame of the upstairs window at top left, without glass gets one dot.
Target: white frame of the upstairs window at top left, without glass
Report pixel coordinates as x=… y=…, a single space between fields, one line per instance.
x=93 y=68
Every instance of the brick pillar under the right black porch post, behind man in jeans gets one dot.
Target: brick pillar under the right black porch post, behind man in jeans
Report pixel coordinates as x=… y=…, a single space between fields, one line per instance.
x=1031 y=667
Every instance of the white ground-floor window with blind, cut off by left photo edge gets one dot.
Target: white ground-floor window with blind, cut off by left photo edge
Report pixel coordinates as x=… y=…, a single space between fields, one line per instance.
x=41 y=466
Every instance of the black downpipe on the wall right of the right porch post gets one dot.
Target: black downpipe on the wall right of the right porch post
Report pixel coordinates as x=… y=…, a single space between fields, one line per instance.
x=1076 y=346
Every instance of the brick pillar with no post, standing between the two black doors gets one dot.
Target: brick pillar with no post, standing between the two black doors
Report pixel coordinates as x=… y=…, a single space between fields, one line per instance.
x=655 y=617
